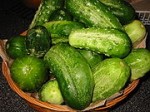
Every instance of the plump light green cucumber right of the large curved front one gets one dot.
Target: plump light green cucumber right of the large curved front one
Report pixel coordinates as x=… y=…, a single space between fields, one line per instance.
x=110 y=77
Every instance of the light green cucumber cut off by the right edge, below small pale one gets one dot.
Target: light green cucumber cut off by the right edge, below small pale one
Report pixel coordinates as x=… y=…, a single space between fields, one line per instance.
x=139 y=62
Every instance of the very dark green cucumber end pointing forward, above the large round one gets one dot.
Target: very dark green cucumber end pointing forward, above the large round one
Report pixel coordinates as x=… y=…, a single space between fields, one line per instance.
x=38 y=41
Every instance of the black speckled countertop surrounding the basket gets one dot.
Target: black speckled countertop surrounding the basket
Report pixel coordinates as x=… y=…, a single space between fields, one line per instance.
x=14 y=19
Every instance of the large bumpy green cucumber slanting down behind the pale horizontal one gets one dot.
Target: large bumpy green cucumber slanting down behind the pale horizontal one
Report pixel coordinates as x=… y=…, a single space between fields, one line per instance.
x=92 y=13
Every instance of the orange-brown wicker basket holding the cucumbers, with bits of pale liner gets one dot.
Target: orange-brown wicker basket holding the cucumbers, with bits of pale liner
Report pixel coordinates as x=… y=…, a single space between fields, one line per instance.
x=47 y=107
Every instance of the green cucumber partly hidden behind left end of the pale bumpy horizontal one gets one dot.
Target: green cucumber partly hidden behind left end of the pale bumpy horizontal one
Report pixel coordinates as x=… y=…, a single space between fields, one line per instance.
x=60 y=30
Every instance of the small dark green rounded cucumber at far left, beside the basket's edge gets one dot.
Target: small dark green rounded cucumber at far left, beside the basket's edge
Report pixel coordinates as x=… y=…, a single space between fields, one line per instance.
x=16 y=47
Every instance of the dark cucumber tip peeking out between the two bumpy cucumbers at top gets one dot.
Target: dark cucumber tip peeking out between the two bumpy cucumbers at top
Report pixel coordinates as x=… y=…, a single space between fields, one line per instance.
x=61 y=14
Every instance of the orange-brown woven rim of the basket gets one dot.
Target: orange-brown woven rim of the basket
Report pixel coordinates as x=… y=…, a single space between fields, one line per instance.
x=27 y=97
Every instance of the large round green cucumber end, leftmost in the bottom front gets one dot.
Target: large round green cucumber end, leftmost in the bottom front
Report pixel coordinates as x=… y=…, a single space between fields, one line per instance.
x=29 y=73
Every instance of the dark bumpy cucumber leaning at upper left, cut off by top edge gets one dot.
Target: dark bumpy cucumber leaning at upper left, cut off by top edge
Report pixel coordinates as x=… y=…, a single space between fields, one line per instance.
x=44 y=11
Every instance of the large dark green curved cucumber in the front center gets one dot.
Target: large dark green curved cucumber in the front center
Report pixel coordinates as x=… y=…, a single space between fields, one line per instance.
x=73 y=74
